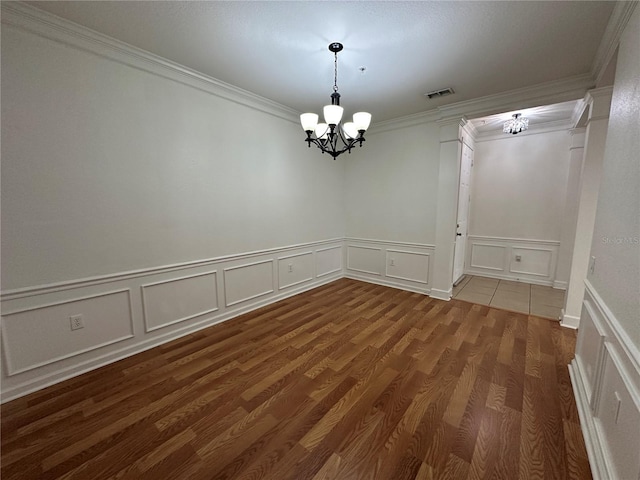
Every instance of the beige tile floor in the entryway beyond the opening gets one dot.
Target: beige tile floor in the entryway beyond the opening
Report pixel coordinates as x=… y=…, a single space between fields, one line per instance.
x=509 y=295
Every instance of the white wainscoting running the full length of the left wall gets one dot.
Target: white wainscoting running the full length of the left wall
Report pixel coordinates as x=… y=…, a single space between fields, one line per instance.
x=128 y=312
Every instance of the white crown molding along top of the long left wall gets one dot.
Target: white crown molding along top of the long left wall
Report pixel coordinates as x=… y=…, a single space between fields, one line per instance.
x=52 y=27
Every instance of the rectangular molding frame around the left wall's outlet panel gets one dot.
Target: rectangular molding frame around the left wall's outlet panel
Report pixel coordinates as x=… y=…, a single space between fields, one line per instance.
x=11 y=371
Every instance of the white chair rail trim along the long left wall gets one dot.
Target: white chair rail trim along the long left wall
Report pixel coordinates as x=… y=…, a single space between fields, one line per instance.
x=112 y=277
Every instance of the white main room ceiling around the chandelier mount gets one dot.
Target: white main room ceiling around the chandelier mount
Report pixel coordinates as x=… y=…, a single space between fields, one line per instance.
x=278 y=50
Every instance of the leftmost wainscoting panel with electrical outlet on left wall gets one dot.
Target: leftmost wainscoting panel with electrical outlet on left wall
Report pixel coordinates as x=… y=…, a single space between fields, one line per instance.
x=42 y=335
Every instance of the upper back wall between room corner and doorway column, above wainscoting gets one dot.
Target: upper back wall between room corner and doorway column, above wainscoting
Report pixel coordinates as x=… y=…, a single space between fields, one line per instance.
x=391 y=185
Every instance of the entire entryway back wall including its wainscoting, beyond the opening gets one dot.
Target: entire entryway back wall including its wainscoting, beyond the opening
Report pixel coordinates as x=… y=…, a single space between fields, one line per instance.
x=518 y=195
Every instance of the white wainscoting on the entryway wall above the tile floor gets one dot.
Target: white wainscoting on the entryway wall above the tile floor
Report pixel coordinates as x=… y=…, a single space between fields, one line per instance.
x=518 y=259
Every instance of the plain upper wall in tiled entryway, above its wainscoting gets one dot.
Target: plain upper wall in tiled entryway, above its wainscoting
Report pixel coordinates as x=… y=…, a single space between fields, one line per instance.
x=519 y=185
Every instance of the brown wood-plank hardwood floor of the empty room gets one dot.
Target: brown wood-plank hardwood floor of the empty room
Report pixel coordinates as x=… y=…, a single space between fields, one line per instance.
x=347 y=381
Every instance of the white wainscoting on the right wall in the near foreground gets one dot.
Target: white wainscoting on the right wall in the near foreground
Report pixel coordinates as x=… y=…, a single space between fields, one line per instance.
x=605 y=375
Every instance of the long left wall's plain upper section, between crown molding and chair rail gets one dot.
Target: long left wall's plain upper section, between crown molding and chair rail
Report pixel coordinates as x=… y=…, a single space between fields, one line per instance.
x=108 y=168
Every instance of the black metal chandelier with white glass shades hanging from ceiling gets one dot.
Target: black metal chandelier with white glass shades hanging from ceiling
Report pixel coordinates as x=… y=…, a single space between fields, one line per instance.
x=332 y=137
